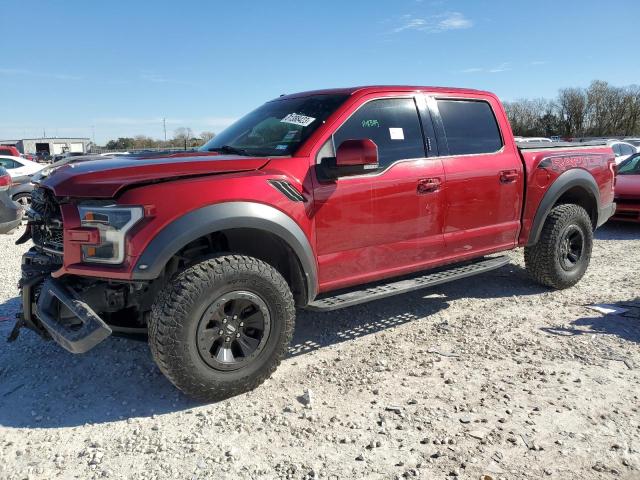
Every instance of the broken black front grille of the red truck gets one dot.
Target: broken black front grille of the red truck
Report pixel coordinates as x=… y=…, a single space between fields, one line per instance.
x=46 y=221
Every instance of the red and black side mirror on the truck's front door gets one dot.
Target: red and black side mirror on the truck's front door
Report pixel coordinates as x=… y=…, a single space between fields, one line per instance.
x=353 y=157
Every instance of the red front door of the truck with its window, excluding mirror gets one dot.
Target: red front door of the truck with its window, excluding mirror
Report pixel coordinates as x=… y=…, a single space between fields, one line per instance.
x=388 y=221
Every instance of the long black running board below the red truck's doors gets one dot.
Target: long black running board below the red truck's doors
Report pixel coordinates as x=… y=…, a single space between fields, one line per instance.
x=377 y=292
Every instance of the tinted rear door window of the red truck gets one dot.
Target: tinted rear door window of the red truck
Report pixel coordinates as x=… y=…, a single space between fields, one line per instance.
x=470 y=127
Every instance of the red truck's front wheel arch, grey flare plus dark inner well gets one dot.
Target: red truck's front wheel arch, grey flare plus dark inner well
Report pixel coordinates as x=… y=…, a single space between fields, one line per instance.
x=264 y=227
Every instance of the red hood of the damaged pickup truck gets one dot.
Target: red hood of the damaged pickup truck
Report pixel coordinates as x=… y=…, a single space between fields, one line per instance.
x=105 y=177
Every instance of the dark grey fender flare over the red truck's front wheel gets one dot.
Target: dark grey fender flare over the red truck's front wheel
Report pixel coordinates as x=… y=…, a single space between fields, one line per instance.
x=224 y=216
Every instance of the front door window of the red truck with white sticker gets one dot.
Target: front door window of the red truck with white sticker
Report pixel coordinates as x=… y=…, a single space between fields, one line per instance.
x=391 y=123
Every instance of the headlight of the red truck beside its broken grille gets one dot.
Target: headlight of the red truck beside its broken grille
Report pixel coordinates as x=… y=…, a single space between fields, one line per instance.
x=113 y=223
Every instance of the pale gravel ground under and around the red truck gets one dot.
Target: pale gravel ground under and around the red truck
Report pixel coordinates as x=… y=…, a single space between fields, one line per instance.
x=491 y=377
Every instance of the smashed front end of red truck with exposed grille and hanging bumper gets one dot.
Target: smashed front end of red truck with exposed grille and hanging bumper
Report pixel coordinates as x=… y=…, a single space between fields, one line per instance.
x=76 y=312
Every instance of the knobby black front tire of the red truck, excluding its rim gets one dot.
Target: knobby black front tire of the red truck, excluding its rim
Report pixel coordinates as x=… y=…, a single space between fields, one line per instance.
x=177 y=311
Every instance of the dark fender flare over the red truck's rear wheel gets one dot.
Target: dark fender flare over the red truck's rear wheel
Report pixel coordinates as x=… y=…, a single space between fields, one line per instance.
x=575 y=177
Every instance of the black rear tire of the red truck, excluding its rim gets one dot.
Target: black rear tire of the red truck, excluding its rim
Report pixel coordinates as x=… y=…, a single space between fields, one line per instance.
x=544 y=259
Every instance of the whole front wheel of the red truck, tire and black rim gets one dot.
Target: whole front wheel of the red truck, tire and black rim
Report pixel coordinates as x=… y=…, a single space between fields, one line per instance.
x=222 y=326
